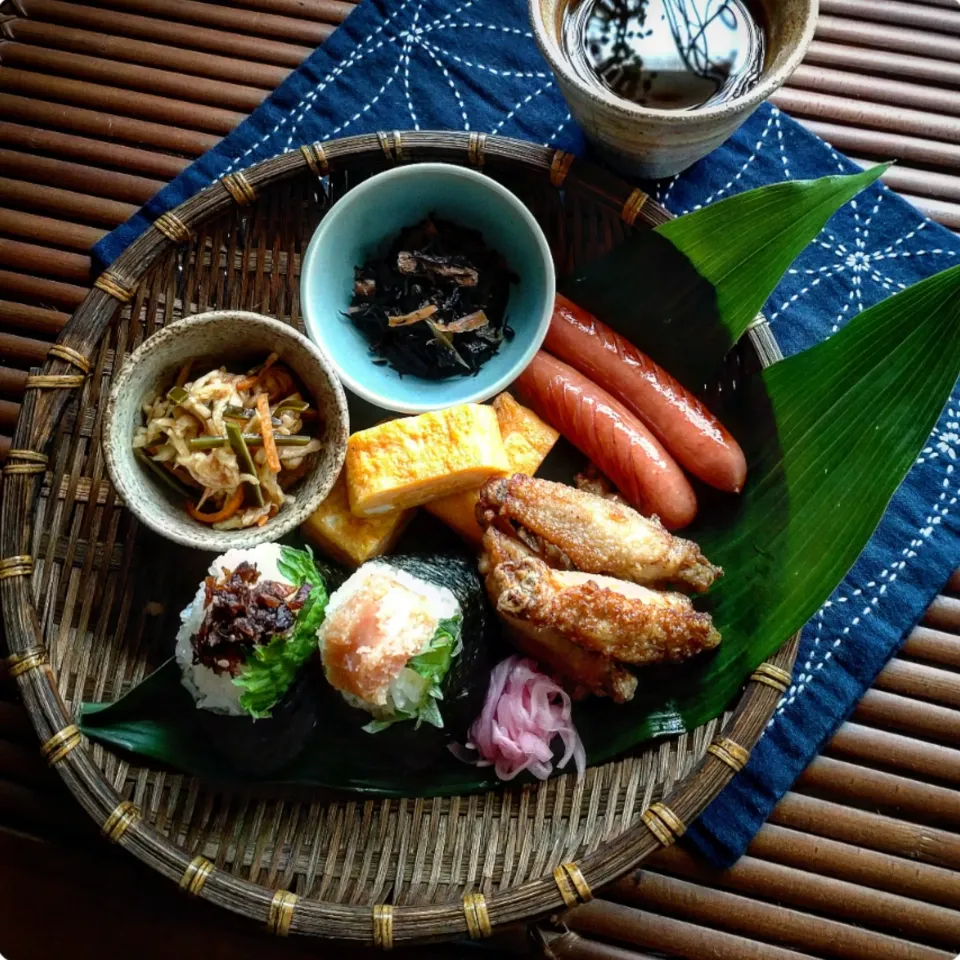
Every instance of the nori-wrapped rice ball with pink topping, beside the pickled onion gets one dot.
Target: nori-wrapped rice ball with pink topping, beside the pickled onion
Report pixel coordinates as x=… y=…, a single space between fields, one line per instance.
x=403 y=640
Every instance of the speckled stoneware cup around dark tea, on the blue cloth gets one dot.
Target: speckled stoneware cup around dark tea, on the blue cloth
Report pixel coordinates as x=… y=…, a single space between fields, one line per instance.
x=650 y=144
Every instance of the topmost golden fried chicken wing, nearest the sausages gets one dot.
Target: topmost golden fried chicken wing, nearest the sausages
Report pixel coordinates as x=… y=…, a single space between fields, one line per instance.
x=571 y=528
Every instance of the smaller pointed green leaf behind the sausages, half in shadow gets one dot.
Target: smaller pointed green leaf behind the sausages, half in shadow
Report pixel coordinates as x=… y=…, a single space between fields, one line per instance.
x=685 y=292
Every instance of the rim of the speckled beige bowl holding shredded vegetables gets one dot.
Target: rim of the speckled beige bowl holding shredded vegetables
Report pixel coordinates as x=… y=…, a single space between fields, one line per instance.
x=221 y=540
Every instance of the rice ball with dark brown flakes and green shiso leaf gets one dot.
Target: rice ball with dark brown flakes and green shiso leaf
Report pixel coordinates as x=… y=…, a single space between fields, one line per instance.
x=250 y=628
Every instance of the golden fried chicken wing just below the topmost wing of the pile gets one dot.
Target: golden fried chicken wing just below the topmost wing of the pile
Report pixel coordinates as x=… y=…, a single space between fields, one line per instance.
x=621 y=620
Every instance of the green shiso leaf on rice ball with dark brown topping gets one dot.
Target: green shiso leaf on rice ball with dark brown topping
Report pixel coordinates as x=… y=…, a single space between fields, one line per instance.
x=271 y=668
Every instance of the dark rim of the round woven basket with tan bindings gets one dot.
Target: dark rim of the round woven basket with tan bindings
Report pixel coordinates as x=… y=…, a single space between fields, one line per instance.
x=65 y=368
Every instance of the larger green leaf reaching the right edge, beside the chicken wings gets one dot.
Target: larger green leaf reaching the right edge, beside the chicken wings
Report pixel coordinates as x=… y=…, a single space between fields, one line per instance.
x=831 y=434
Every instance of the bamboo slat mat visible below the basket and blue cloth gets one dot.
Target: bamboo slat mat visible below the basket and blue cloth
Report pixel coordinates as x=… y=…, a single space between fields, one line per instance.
x=861 y=861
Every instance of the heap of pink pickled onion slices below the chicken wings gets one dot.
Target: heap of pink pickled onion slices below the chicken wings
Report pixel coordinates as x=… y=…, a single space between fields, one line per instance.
x=523 y=712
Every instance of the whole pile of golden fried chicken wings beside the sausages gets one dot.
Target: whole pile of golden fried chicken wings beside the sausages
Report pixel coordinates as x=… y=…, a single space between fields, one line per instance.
x=570 y=574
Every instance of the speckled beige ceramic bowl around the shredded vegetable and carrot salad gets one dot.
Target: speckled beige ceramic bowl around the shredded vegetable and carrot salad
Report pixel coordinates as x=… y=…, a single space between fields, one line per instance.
x=211 y=340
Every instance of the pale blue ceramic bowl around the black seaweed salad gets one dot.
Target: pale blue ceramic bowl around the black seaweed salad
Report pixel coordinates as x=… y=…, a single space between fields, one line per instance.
x=365 y=221
